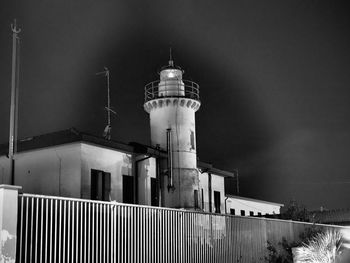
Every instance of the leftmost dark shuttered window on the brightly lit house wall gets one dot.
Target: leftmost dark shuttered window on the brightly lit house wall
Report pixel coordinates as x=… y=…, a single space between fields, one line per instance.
x=100 y=185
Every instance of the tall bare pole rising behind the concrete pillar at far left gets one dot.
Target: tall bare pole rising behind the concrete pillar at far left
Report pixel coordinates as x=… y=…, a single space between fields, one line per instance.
x=14 y=98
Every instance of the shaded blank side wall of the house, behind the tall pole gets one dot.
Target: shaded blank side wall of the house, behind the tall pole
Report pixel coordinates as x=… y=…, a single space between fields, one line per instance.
x=49 y=171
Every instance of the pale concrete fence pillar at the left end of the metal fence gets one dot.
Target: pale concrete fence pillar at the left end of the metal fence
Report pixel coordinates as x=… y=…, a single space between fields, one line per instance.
x=8 y=222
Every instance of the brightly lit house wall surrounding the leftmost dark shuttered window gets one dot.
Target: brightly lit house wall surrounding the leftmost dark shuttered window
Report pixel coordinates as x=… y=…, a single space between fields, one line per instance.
x=107 y=160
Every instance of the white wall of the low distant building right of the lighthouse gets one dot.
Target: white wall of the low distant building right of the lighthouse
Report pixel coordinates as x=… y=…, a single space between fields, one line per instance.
x=251 y=205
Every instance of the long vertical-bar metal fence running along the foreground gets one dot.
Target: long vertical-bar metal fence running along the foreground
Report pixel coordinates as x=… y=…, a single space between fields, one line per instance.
x=55 y=229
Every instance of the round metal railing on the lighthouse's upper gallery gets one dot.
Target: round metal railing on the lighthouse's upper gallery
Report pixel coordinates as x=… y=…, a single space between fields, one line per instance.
x=188 y=89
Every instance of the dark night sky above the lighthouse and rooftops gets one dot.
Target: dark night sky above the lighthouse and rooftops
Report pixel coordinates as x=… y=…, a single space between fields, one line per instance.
x=274 y=78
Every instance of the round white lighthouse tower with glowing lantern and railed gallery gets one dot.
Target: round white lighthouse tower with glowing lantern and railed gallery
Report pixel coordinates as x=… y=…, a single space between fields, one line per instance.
x=171 y=103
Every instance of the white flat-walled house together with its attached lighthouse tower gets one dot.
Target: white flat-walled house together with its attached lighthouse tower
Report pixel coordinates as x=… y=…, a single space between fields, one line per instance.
x=167 y=173
